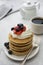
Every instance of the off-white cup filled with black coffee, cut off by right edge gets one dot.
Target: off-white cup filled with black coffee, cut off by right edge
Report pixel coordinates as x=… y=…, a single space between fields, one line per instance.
x=37 y=28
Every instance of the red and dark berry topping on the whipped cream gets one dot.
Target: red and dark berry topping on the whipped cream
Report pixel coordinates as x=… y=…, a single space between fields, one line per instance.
x=19 y=29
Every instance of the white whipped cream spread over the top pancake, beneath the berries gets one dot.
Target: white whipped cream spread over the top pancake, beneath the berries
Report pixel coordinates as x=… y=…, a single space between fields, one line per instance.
x=24 y=34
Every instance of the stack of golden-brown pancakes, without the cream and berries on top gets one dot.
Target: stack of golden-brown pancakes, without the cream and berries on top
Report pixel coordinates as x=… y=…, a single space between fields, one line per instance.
x=20 y=46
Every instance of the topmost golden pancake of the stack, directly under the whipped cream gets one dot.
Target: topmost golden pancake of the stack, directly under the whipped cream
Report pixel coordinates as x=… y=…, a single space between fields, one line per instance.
x=20 y=41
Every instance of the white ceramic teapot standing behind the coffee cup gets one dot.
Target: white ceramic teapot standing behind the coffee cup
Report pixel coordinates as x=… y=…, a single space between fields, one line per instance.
x=29 y=10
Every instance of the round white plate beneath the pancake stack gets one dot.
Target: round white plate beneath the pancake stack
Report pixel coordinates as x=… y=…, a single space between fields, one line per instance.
x=20 y=58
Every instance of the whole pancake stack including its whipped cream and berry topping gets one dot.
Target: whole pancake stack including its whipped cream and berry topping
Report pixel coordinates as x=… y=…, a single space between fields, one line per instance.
x=20 y=40
